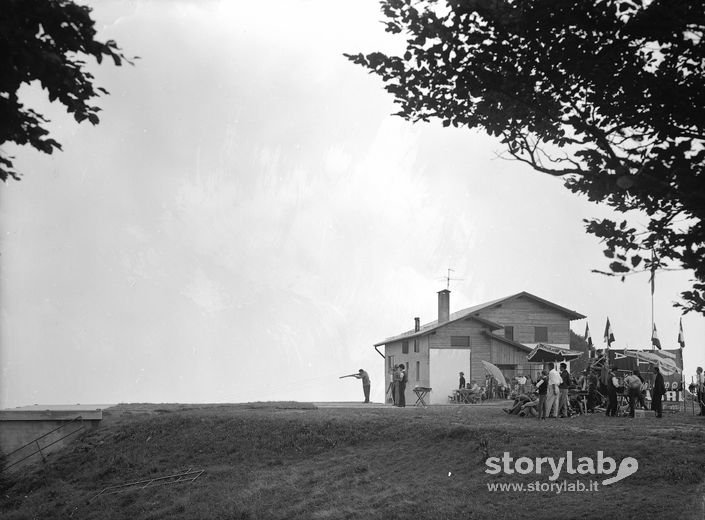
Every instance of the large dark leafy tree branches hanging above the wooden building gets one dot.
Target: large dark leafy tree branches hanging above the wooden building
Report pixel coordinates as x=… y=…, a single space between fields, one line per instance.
x=607 y=95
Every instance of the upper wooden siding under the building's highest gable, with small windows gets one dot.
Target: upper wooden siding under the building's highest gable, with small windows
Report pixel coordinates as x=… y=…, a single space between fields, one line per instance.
x=524 y=314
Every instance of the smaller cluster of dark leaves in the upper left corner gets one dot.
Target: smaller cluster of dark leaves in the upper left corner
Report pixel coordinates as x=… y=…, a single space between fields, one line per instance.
x=46 y=41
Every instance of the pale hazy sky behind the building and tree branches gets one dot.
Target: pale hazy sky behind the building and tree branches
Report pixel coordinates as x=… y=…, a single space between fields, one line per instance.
x=249 y=219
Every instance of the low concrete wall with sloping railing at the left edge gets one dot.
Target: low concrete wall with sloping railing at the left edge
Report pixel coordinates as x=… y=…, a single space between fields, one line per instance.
x=52 y=430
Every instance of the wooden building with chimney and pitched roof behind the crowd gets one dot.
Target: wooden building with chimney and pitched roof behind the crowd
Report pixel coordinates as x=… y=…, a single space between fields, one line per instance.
x=501 y=332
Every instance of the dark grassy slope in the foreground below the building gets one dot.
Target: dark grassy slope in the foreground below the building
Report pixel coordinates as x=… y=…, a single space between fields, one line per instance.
x=291 y=460
